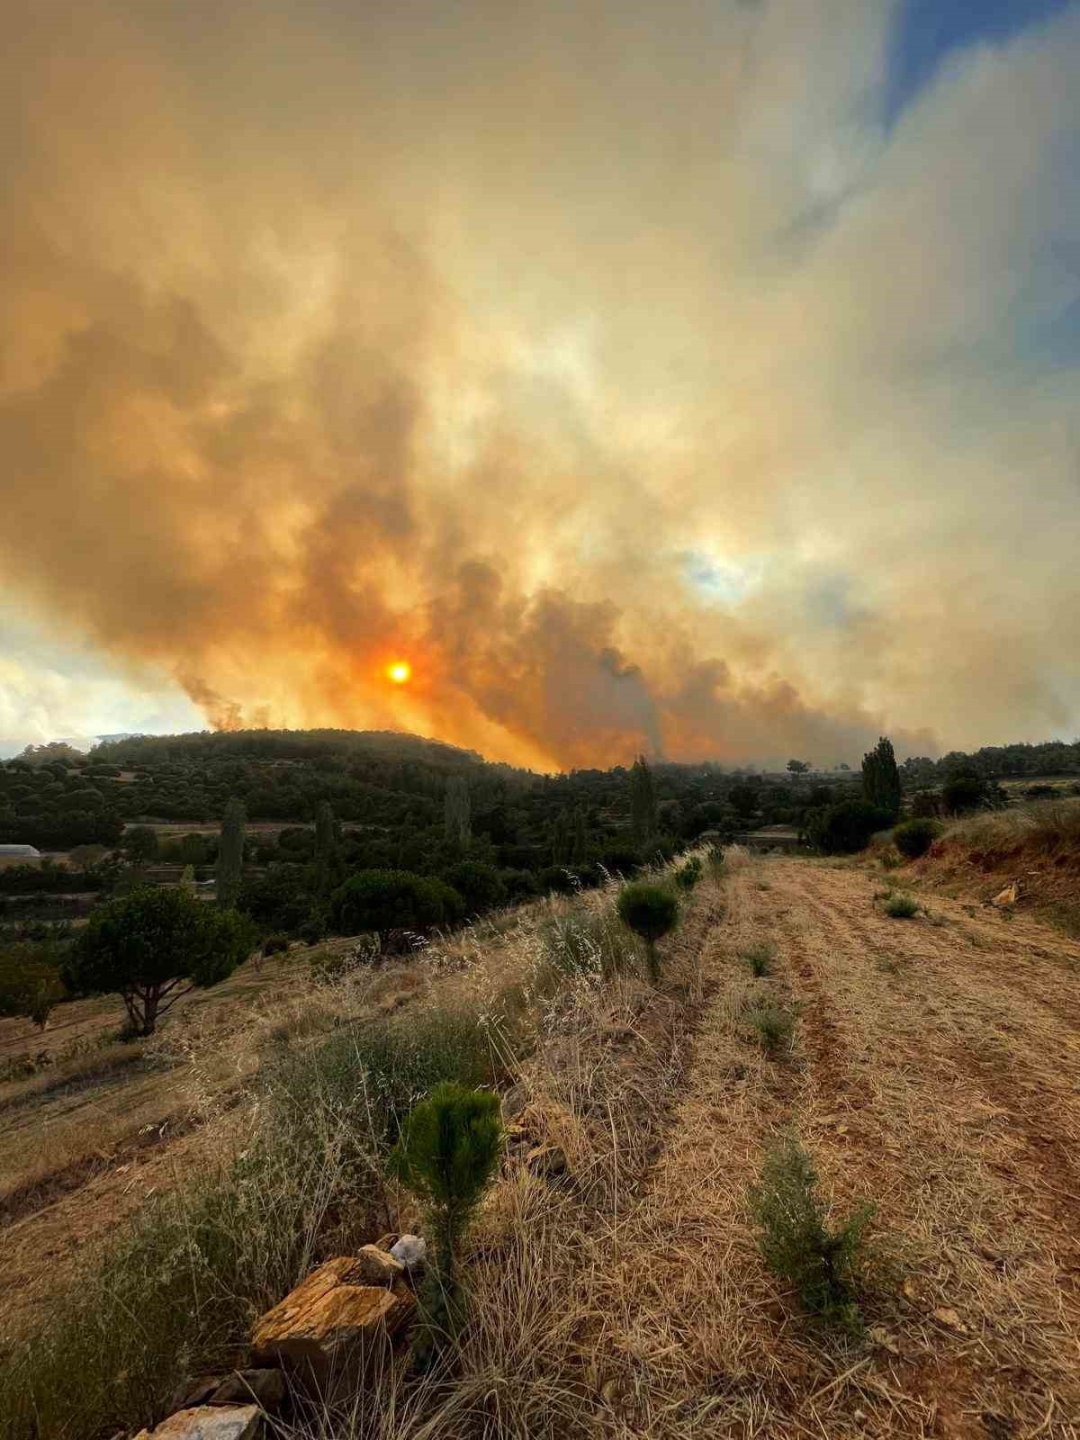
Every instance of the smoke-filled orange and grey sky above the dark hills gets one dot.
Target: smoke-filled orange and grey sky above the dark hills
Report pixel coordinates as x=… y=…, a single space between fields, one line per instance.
x=695 y=378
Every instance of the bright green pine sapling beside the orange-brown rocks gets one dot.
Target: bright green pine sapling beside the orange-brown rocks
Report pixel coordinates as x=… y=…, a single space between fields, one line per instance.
x=449 y=1154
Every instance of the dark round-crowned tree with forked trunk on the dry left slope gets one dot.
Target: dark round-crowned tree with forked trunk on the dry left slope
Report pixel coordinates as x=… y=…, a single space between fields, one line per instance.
x=153 y=945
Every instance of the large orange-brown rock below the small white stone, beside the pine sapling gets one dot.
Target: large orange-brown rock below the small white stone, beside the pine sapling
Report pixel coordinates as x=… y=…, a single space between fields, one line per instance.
x=328 y=1328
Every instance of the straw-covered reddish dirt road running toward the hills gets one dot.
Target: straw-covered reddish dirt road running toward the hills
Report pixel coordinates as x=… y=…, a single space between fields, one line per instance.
x=937 y=1075
